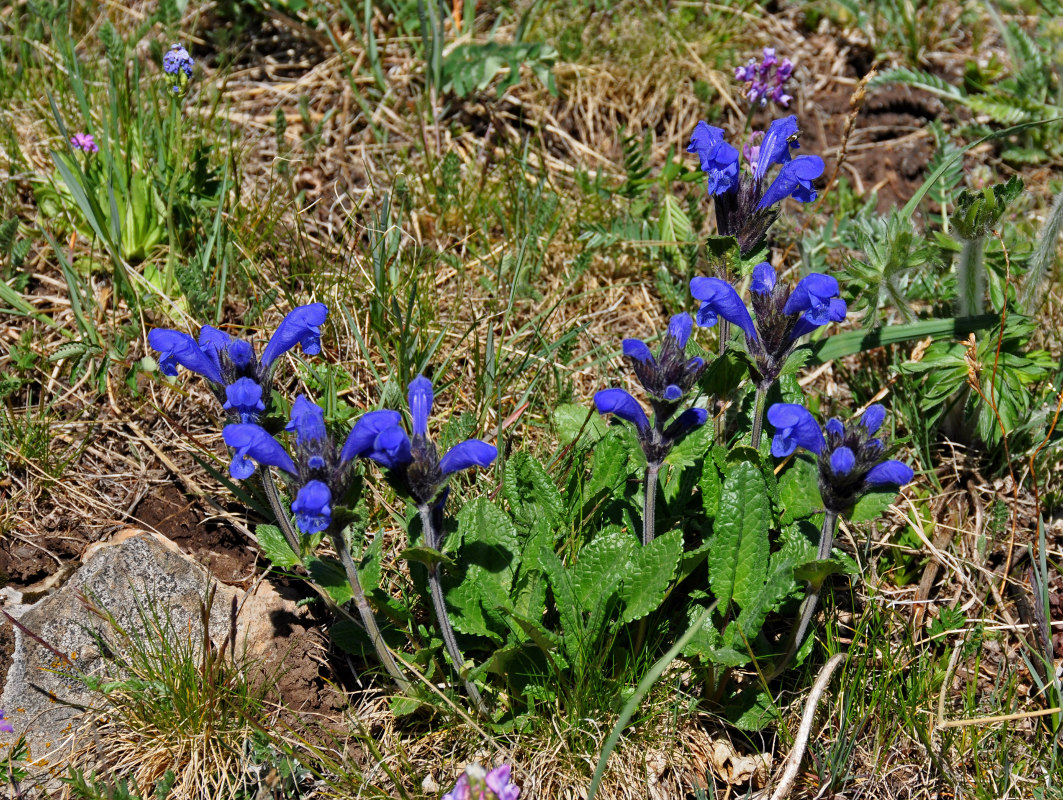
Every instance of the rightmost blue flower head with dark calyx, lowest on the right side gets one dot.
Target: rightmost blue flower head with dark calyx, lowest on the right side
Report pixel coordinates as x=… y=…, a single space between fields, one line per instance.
x=851 y=456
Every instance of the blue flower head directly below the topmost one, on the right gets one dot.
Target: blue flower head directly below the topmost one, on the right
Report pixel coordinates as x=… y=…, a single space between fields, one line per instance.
x=783 y=317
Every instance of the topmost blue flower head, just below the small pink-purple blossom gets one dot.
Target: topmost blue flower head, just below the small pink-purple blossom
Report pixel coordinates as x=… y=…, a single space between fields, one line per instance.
x=746 y=203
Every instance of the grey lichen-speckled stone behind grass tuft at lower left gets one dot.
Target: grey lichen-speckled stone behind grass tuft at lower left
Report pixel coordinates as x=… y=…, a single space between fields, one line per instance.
x=139 y=576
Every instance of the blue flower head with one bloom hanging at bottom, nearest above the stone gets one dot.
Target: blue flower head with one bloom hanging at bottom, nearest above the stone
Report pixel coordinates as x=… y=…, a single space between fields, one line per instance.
x=317 y=473
